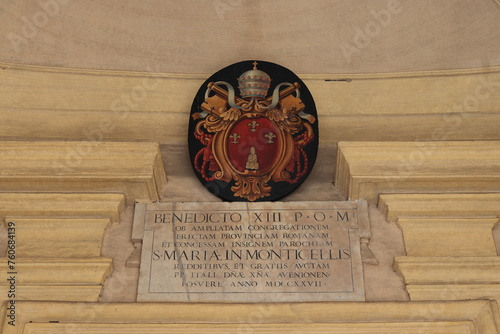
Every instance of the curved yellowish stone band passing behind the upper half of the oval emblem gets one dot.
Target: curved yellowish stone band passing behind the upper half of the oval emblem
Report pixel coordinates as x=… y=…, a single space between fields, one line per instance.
x=118 y=97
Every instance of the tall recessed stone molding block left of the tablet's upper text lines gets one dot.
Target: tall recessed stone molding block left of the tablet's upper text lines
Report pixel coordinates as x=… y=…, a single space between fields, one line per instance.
x=59 y=237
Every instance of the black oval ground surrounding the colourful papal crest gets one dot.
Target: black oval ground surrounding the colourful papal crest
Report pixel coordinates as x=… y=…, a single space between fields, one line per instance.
x=278 y=75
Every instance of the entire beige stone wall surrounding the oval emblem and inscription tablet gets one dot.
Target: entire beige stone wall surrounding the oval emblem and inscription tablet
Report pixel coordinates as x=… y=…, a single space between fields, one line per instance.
x=429 y=71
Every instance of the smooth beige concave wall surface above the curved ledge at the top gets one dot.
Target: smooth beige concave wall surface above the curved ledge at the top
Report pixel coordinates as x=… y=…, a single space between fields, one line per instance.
x=194 y=36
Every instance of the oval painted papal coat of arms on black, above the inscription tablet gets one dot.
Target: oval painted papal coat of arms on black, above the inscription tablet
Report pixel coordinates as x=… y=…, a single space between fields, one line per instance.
x=255 y=146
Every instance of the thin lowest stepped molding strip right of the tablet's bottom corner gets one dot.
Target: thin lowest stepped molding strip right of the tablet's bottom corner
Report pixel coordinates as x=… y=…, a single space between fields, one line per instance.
x=420 y=292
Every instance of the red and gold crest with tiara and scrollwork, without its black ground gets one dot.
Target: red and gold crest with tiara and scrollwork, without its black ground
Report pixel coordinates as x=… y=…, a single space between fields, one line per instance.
x=254 y=139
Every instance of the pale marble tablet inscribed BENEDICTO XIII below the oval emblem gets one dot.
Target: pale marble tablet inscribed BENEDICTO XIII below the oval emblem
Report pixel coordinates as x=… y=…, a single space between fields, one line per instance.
x=249 y=252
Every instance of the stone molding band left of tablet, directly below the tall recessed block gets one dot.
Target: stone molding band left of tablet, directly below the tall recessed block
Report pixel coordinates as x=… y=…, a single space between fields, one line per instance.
x=62 y=271
